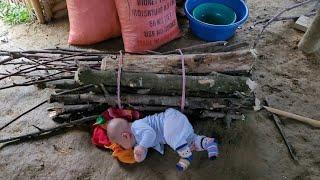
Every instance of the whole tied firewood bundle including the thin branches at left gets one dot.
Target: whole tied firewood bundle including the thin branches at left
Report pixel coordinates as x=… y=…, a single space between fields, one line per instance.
x=85 y=81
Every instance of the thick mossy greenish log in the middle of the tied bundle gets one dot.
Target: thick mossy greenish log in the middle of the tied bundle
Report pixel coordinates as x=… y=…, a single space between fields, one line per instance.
x=167 y=84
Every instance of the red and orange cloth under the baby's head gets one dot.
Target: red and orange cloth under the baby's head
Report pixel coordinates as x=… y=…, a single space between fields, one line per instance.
x=100 y=137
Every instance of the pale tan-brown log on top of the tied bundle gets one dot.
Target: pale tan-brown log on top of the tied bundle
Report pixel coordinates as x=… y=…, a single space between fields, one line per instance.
x=238 y=62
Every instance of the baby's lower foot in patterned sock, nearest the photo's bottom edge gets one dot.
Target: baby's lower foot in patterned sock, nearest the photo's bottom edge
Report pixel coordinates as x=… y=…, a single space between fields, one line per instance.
x=185 y=153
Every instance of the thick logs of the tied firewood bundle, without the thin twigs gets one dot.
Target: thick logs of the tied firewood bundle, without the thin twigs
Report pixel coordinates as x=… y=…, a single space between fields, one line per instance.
x=216 y=85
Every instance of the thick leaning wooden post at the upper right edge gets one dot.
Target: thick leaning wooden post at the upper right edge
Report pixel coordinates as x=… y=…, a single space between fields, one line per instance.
x=310 y=42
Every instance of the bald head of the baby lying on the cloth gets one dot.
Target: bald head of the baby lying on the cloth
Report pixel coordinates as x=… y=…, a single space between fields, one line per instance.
x=119 y=131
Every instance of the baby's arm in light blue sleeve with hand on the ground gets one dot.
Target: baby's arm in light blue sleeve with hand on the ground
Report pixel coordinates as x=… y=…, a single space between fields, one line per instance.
x=147 y=141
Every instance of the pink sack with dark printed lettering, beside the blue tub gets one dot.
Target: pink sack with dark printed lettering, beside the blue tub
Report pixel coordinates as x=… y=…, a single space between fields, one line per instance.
x=147 y=24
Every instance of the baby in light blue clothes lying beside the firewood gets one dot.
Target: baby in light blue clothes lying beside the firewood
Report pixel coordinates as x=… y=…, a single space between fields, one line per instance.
x=170 y=127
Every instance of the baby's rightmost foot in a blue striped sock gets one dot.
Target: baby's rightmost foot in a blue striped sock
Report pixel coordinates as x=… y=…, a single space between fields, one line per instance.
x=209 y=144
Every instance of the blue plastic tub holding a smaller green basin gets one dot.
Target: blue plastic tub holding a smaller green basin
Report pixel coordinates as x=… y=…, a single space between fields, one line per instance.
x=210 y=32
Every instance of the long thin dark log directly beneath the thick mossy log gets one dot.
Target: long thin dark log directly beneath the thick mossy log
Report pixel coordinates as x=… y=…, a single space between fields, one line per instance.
x=150 y=100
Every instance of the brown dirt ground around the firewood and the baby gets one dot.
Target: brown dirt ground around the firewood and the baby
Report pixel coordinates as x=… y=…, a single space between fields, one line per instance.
x=250 y=149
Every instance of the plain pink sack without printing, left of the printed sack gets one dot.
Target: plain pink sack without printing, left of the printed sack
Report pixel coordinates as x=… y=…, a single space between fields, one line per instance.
x=92 y=21
